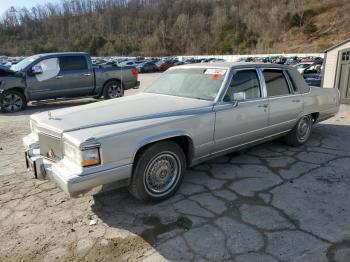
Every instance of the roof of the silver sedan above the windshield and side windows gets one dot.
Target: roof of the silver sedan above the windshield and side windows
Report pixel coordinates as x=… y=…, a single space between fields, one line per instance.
x=232 y=65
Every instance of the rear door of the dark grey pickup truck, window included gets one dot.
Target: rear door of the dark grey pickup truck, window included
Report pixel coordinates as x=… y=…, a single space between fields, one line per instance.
x=76 y=76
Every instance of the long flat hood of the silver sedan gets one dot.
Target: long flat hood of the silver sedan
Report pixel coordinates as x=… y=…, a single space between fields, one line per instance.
x=140 y=107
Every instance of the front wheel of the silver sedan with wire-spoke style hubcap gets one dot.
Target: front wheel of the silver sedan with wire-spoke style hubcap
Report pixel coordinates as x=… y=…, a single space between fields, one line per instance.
x=158 y=172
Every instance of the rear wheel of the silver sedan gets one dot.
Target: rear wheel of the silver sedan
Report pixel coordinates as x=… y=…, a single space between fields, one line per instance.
x=301 y=132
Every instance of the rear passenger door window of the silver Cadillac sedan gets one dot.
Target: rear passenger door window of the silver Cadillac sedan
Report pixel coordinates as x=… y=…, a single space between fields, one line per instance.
x=276 y=83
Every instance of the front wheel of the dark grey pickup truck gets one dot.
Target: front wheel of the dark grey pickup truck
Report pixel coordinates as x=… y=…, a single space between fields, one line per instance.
x=13 y=101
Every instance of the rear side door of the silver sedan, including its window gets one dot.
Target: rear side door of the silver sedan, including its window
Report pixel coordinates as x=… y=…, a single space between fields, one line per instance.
x=285 y=103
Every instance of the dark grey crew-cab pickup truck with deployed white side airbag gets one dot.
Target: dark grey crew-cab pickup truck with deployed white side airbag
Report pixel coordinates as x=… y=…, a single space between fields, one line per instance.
x=61 y=75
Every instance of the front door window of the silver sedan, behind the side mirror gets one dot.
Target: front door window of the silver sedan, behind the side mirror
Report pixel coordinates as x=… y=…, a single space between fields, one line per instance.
x=246 y=81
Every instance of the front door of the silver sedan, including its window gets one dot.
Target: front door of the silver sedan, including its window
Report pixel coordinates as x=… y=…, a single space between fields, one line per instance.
x=246 y=121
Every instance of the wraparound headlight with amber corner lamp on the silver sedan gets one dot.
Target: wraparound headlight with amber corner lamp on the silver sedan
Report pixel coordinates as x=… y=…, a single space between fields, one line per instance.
x=86 y=156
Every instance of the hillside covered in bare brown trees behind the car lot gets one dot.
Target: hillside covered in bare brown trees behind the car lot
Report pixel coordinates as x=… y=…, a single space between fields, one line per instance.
x=160 y=27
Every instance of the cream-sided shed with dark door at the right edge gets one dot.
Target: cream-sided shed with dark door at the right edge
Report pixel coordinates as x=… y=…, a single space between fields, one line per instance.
x=336 y=70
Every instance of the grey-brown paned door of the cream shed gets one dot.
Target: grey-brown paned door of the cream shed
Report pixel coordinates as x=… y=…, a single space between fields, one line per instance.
x=344 y=76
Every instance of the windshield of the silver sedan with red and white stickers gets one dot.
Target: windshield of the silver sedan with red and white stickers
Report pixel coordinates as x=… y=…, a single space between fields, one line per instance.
x=198 y=83
